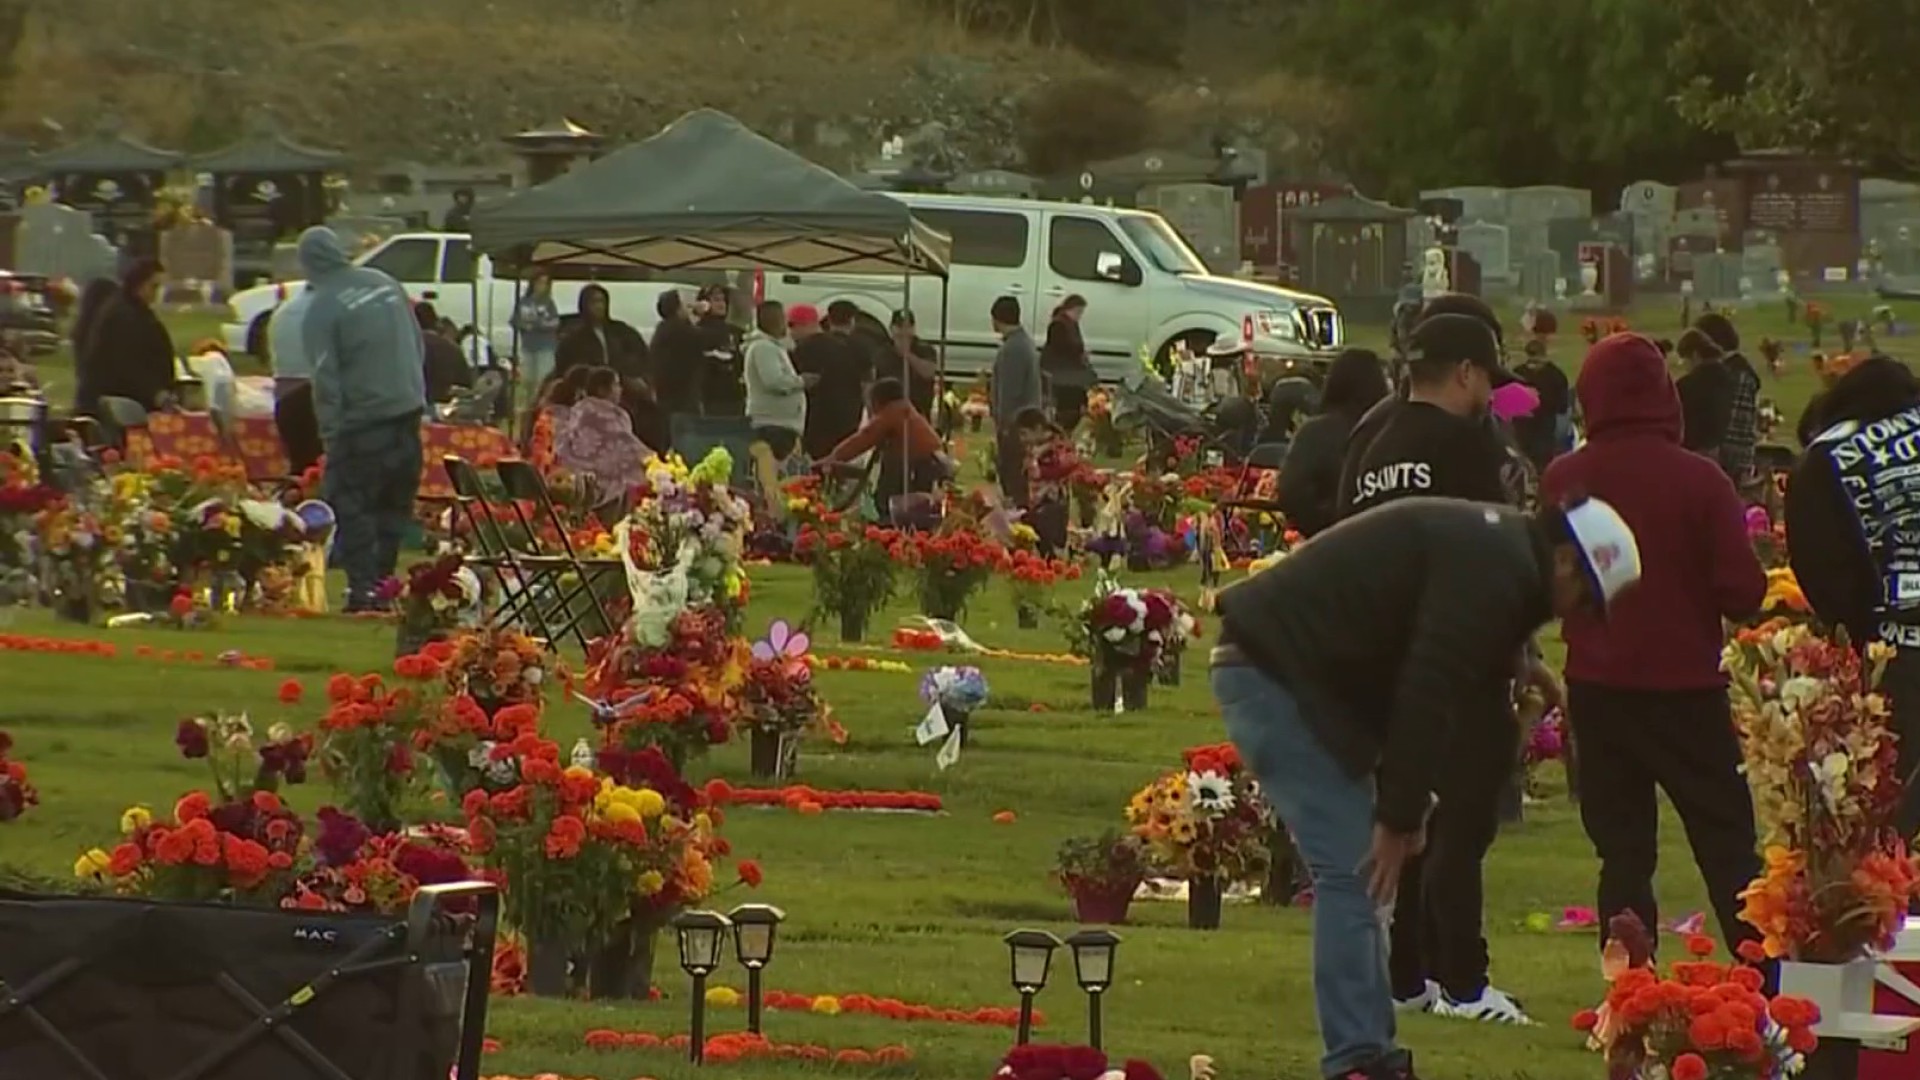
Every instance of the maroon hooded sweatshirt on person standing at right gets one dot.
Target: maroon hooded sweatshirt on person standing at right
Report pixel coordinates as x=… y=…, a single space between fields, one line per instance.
x=1696 y=560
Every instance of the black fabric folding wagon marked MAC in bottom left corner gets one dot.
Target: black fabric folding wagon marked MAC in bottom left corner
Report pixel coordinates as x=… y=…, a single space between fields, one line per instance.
x=120 y=989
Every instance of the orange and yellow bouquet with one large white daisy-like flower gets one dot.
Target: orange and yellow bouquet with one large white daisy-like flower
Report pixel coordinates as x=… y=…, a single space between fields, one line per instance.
x=1205 y=822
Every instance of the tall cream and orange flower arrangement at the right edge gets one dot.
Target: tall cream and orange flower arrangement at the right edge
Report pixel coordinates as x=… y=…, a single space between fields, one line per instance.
x=1821 y=760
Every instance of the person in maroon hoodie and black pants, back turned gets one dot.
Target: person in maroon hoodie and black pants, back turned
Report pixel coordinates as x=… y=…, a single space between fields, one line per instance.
x=1644 y=687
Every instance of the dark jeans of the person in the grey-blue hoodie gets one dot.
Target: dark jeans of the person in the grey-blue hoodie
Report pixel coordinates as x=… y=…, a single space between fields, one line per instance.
x=373 y=476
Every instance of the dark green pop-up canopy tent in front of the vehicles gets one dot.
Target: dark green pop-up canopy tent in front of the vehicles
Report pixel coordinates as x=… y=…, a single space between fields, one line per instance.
x=711 y=195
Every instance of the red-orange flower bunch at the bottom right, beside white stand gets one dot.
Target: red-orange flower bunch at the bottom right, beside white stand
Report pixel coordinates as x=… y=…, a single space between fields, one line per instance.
x=1704 y=1021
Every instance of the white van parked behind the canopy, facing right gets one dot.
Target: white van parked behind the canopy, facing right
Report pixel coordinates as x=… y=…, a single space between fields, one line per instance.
x=1143 y=285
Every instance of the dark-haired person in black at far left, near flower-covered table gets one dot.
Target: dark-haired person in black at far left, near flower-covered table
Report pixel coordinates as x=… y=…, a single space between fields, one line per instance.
x=130 y=353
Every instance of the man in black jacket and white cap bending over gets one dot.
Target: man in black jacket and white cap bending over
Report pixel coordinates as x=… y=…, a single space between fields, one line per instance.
x=1351 y=677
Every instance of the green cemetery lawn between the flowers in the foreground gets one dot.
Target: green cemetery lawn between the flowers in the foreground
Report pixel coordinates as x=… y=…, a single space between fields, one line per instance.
x=890 y=906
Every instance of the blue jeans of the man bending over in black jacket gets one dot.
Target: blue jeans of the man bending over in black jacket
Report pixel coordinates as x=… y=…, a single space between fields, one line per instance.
x=1332 y=820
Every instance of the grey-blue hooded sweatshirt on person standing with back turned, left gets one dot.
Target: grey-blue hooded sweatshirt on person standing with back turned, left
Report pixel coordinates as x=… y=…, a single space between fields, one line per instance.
x=362 y=341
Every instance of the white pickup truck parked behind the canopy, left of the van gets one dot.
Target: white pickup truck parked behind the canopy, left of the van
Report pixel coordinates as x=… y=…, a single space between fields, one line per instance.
x=444 y=270
